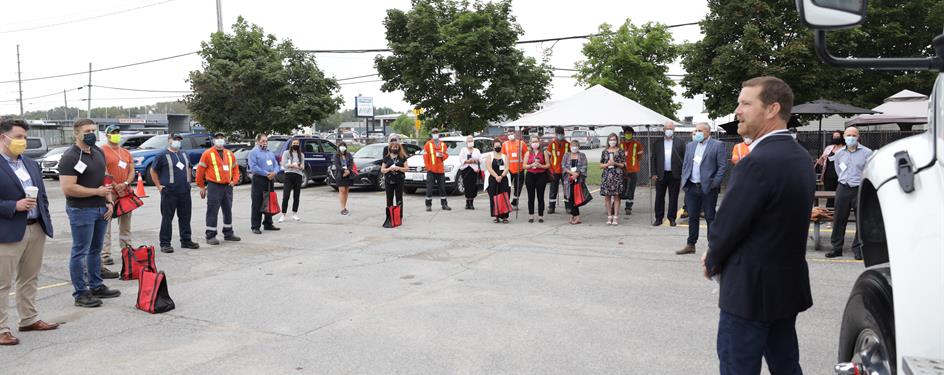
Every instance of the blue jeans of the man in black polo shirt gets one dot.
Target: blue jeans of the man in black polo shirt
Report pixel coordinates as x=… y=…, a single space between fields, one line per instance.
x=88 y=232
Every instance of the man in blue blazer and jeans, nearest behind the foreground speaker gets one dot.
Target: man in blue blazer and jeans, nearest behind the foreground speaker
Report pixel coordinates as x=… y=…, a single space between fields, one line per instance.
x=702 y=172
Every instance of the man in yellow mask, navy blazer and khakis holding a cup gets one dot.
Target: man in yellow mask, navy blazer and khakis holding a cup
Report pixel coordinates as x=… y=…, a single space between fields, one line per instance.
x=24 y=217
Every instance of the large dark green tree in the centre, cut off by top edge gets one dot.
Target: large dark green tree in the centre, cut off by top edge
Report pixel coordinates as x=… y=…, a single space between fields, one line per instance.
x=458 y=61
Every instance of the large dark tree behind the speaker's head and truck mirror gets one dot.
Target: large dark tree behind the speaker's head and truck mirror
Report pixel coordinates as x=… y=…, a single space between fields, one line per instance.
x=749 y=38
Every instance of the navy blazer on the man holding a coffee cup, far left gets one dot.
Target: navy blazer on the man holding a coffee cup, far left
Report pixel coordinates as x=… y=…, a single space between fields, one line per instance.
x=11 y=190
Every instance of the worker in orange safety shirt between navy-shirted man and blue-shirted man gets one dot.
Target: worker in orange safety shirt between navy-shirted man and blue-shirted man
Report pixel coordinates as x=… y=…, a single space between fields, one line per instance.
x=217 y=173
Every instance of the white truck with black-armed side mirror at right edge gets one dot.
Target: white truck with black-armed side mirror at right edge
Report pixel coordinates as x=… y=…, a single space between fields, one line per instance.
x=894 y=319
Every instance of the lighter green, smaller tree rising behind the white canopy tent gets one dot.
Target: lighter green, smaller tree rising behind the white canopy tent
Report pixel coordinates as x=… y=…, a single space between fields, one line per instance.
x=632 y=61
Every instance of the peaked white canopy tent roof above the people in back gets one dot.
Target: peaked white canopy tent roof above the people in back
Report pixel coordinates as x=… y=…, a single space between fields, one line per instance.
x=596 y=107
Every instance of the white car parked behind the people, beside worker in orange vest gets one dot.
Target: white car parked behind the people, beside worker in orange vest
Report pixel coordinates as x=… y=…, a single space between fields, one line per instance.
x=416 y=176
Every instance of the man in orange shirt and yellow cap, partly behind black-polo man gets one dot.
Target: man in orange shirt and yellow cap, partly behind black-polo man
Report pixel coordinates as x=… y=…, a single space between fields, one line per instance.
x=120 y=166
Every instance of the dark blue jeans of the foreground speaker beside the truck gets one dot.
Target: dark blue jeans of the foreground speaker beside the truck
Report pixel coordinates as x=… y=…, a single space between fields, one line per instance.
x=742 y=343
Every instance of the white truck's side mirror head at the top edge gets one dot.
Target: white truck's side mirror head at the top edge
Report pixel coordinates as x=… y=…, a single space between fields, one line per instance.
x=832 y=14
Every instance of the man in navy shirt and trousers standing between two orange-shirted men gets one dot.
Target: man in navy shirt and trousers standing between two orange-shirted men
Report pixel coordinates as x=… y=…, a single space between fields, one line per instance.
x=171 y=174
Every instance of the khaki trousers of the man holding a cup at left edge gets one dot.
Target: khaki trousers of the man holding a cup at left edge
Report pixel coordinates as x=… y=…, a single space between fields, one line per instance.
x=25 y=259
